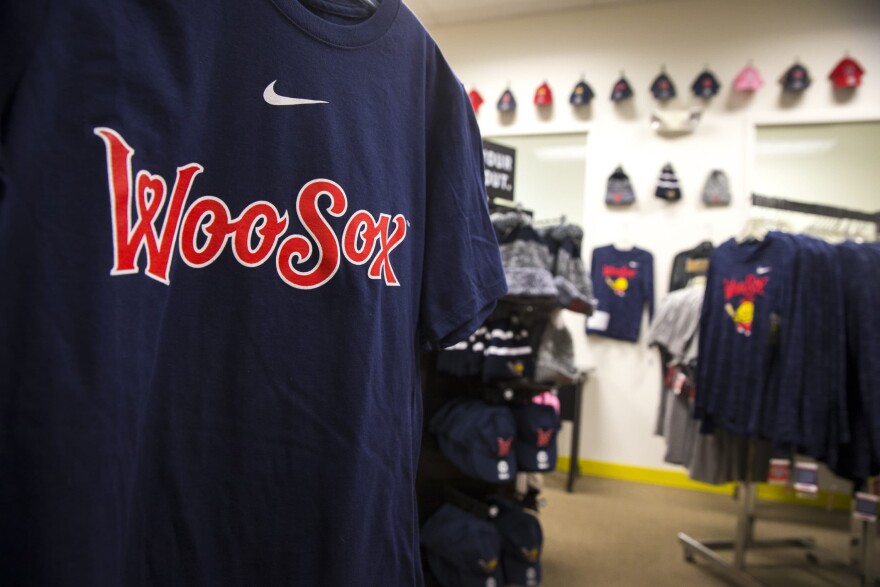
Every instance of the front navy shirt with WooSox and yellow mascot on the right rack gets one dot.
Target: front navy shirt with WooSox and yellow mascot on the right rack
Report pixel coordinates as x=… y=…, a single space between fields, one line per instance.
x=747 y=318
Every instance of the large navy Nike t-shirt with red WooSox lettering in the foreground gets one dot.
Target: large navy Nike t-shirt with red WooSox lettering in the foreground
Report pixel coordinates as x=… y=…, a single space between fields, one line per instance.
x=226 y=229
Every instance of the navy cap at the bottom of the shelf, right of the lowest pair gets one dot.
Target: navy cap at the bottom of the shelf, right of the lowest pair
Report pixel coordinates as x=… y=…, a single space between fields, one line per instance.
x=521 y=543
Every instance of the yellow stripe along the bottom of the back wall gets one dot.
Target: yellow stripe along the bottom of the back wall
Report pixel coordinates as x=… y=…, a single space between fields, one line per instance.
x=680 y=480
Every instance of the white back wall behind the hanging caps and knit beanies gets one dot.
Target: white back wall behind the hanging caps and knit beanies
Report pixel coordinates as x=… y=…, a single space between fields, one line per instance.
x=620 y=403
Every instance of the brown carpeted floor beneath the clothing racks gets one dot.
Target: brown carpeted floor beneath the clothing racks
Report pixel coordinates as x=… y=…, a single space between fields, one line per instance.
x=616 y=533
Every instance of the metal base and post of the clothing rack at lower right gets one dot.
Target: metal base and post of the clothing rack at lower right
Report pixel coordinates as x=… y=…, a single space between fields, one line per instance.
x=863 y=543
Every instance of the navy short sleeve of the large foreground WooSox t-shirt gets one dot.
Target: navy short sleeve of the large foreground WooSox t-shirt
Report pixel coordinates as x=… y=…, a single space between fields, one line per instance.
x=462 y=275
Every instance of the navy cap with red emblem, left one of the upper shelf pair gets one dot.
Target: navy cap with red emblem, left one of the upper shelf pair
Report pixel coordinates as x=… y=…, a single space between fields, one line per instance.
x=478 y=438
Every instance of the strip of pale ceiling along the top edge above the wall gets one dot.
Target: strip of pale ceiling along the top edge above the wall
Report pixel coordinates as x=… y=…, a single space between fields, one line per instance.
x=443 y=12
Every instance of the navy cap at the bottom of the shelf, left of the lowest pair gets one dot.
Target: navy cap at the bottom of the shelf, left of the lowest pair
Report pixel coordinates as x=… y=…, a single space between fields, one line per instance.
x=462 y=549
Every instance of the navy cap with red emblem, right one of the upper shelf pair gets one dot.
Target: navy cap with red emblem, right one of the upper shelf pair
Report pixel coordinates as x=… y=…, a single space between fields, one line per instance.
x=536 y=428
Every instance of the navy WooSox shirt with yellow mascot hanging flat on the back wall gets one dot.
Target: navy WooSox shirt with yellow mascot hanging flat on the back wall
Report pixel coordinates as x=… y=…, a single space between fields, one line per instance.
x=623 y=283
